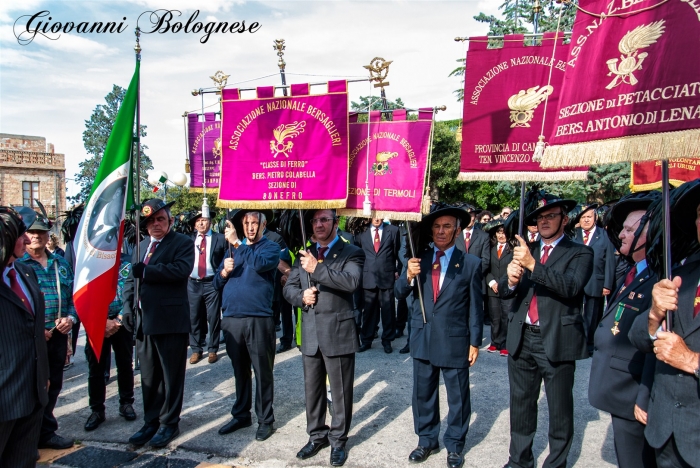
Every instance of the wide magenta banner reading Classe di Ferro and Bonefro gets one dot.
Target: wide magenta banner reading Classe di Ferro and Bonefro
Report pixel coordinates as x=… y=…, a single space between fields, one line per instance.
x=285 y=152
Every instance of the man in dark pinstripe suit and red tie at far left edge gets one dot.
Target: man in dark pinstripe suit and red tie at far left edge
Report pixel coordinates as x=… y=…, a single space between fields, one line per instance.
x=25 y=371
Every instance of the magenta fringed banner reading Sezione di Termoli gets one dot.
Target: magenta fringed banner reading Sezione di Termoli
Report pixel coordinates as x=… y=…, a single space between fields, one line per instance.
x=393 y=157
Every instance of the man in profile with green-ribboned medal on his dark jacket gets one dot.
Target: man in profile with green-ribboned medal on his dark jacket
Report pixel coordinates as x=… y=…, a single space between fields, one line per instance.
x=621 y=375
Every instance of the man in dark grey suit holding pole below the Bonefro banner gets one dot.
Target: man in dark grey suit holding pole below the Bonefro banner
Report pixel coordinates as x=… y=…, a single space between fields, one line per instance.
x=322 y=283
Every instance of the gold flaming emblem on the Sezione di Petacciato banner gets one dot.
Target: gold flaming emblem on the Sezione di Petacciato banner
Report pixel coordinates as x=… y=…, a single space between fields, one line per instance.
x=630 y=61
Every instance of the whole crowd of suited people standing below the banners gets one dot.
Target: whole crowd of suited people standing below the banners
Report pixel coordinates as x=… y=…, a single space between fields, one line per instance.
x=557 y=283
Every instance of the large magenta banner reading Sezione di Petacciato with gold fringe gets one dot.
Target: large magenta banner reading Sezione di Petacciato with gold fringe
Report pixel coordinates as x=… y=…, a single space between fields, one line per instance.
x=632 y=86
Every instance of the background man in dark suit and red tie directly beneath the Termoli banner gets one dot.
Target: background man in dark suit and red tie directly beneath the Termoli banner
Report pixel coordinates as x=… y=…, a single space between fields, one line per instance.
x=381 y=244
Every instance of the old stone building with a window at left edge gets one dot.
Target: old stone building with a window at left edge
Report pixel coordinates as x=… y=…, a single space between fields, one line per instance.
x=30 y=169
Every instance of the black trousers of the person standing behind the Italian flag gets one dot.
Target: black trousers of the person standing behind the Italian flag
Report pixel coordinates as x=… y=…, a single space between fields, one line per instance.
x=121 y=342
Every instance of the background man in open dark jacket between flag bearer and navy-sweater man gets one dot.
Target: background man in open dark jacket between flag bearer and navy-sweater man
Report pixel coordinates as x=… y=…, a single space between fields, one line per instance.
x=205 y=300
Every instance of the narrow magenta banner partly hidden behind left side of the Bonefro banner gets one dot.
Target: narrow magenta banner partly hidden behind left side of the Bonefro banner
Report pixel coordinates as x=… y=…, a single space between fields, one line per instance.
x=207 y=136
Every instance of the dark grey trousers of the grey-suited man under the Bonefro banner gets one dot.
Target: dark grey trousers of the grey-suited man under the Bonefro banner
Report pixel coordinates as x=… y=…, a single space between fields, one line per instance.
x=341 y=374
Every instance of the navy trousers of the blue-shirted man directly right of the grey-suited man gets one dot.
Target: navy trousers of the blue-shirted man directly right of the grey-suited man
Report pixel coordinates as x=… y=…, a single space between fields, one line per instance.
x=426 y=405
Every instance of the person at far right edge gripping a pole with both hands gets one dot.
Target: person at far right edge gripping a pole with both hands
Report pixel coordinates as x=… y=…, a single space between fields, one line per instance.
x=673 y=419
